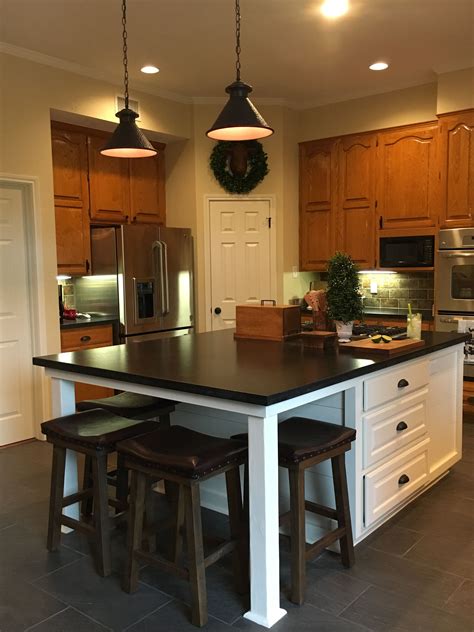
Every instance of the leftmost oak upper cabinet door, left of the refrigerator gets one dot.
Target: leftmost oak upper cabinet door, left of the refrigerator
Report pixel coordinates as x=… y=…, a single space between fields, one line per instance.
x=71 y=201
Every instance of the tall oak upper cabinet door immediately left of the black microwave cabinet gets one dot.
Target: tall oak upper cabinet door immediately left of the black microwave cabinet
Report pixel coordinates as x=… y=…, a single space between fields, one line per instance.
x=355 y=231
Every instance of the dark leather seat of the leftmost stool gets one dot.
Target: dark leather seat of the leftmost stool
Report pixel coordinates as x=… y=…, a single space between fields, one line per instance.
x=95 y=428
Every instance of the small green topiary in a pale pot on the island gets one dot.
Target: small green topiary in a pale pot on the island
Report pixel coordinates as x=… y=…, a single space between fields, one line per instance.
x=343 y=293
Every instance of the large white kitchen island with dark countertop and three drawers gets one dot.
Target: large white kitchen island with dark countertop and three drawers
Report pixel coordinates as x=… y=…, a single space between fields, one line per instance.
x=224 y=384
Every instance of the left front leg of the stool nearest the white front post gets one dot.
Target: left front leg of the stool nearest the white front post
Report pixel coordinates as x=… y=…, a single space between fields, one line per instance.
x=135 y=530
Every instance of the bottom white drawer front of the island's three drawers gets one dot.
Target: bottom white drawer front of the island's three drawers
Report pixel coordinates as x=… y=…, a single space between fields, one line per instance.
x=390 y=484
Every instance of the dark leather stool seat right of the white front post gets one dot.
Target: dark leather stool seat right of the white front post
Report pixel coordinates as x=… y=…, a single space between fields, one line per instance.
x=300 y=439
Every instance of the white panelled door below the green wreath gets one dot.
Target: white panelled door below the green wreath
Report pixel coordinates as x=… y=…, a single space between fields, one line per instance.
x=240 y=256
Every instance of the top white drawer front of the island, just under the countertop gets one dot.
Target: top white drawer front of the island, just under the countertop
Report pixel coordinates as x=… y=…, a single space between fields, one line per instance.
x=394 y=384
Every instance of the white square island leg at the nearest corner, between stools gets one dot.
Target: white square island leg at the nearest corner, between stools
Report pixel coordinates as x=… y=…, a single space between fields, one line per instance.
x=264 y=530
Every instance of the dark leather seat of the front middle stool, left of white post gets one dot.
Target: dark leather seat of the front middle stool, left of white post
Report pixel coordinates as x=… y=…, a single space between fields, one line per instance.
x=183 y=451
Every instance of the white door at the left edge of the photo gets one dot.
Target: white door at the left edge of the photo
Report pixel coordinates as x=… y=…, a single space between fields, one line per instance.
x=16 y=371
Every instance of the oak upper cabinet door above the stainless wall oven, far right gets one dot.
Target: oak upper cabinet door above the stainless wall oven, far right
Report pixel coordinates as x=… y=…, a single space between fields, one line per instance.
x=457 y=169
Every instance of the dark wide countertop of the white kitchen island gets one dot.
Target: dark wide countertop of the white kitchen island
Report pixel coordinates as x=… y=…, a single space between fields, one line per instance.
x=214 y=364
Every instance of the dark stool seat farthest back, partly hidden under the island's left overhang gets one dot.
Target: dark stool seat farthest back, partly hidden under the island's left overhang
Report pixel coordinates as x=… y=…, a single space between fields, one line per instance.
x=130 y=405
